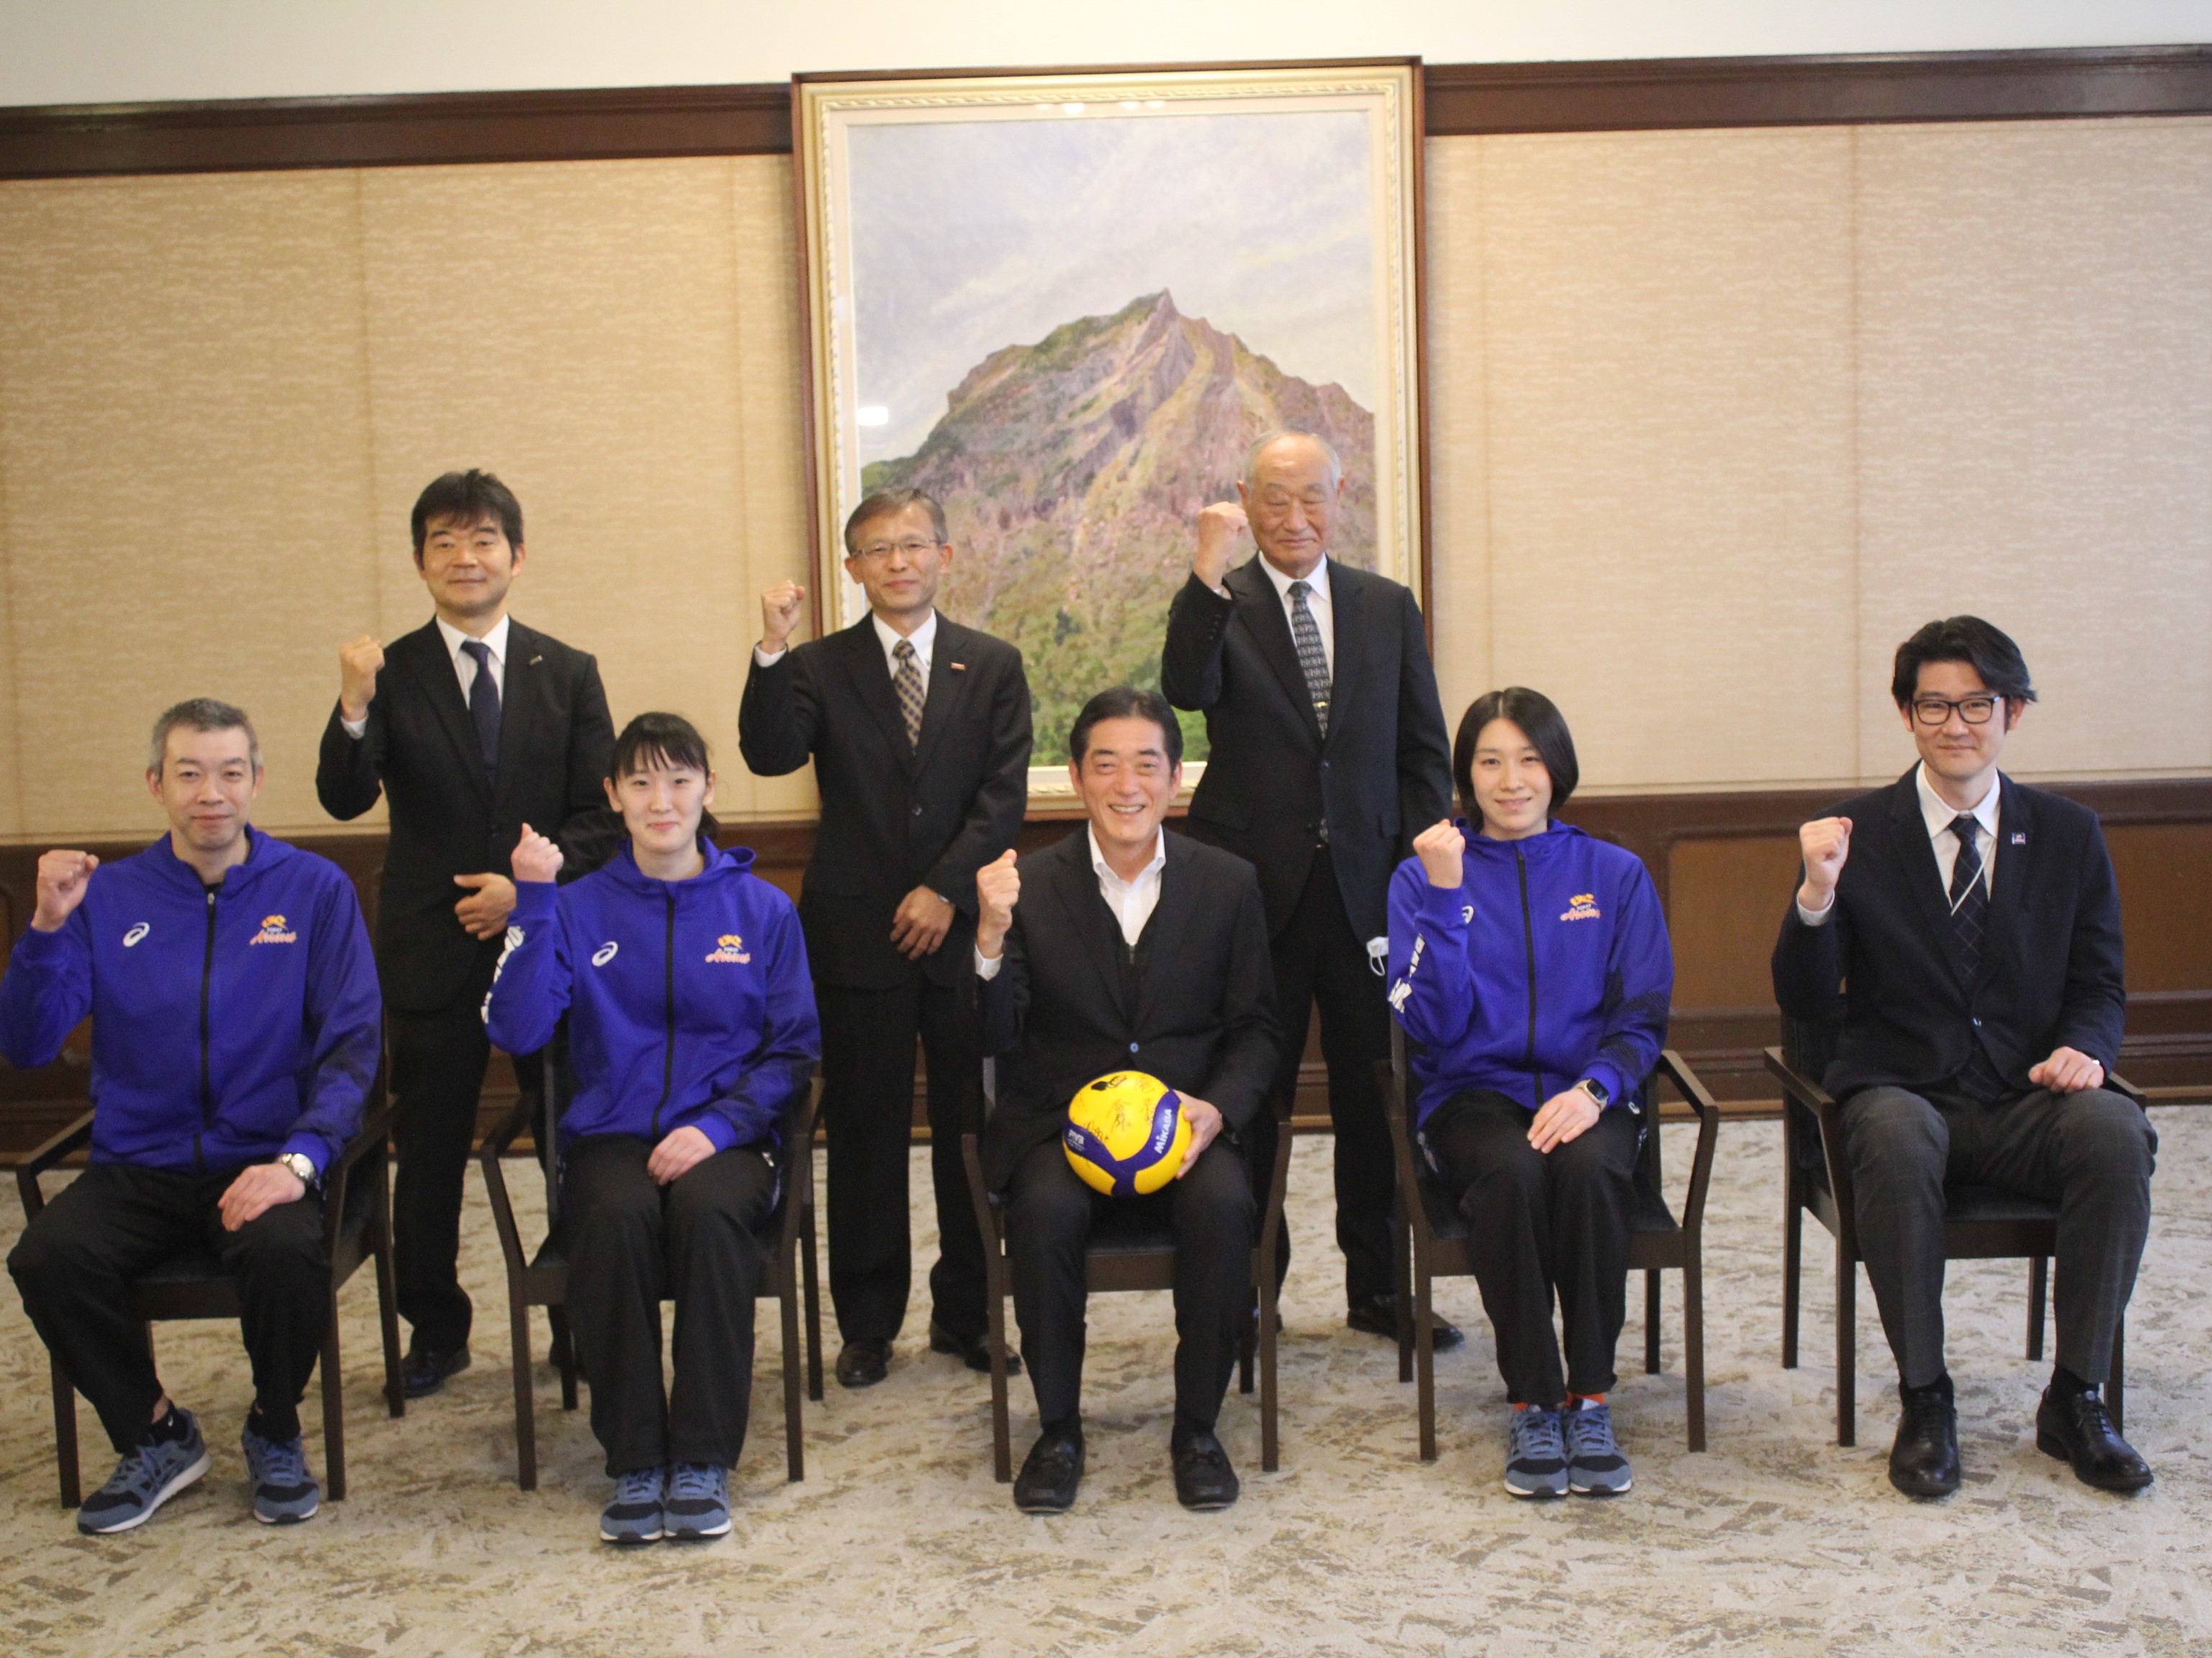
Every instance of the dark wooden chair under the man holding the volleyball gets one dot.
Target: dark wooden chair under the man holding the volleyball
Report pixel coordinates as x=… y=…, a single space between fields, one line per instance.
x=1134 y=1257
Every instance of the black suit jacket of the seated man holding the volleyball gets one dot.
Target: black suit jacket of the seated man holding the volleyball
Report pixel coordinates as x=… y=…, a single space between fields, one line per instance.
x=1061 y=1014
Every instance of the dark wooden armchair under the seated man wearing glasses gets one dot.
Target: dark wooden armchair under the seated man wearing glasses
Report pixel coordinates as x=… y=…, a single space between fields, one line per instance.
x=1981 y=1221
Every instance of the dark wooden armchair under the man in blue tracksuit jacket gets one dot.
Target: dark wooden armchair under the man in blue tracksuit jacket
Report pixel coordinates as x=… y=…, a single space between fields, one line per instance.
x=357 y=1230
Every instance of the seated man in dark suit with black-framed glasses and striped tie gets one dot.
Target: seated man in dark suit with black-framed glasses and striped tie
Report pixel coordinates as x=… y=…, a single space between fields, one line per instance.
x=1972 y=943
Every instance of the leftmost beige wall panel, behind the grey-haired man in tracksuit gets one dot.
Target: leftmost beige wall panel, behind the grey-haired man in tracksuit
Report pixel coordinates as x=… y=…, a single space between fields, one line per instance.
x=187 y=474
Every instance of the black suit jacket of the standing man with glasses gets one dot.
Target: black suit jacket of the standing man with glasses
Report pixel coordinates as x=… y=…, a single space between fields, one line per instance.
x=895 y=817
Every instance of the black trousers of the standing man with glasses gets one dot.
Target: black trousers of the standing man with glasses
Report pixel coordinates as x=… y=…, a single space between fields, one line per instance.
x=868 y=1109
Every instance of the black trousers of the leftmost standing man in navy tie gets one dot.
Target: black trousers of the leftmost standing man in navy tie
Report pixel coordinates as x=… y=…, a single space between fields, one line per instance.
x=437 y=1078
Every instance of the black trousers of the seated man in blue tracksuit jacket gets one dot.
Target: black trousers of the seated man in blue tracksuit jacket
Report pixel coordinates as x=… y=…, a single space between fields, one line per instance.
x=116 y=1224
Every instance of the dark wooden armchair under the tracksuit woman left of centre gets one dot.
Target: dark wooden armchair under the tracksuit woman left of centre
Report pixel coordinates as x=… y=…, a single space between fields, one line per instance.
x=543 y=1279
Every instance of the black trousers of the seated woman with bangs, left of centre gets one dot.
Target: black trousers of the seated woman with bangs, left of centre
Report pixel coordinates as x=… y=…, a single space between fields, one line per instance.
x=636 y=1243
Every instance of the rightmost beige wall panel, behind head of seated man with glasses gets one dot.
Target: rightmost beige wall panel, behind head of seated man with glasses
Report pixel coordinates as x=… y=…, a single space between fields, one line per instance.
x=2036 y=403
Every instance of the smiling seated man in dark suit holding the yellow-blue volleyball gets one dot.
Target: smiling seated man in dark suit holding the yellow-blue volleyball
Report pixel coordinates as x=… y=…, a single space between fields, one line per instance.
x=1134 y=952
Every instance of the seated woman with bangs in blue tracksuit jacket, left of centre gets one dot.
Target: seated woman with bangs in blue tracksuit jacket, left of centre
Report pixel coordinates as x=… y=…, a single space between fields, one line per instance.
x=691 y=1031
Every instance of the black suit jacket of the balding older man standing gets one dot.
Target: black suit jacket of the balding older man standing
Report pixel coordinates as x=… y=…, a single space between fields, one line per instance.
x=1271 y=781
